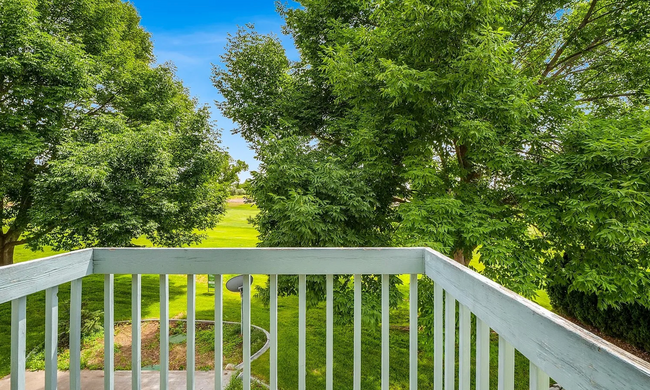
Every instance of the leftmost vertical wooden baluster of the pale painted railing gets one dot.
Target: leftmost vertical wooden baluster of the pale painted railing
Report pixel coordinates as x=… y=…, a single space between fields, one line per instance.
x=18 y=342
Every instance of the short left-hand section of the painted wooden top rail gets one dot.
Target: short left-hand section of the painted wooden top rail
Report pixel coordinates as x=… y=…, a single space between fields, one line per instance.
x=22 y=279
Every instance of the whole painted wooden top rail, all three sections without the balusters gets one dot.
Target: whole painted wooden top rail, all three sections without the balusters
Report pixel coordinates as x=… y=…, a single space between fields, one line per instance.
x=574 y=357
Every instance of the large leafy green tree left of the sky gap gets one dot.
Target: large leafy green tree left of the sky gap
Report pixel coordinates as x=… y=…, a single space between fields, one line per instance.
x=98 y=145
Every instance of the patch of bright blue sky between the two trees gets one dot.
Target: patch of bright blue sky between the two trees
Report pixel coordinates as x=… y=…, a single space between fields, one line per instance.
x=192 y=34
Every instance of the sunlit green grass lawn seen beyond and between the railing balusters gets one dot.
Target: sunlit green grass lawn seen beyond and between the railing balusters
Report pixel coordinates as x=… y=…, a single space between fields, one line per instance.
x=234 y=231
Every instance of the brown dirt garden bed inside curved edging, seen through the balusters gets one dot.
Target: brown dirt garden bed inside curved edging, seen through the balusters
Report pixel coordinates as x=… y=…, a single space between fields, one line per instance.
x=93 y=350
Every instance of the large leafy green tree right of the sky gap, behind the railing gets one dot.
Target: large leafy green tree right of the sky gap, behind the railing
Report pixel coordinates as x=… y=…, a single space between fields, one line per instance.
x=487 y=127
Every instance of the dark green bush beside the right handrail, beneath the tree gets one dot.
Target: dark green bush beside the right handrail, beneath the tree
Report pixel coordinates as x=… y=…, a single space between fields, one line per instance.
x=630 y=322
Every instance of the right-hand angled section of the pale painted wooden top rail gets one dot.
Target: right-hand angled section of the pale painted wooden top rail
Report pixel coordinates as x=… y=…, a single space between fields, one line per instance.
x=574 y=357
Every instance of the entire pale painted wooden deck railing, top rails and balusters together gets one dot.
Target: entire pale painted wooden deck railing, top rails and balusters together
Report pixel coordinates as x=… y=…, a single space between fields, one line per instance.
x=555 y=347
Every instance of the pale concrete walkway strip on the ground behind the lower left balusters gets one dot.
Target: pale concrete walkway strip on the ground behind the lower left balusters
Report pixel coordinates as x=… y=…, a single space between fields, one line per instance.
x=204 y=380
